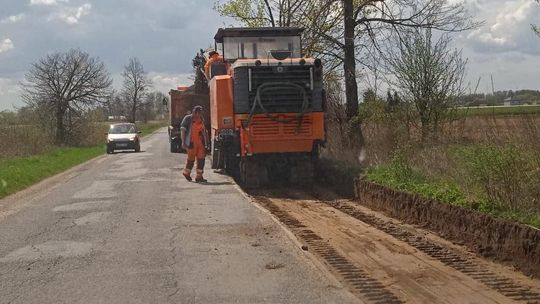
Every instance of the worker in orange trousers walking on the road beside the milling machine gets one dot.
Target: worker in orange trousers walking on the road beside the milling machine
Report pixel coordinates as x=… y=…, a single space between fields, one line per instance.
x=194 y=140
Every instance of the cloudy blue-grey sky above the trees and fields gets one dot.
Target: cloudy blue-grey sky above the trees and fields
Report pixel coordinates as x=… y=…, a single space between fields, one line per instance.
x=166 y=34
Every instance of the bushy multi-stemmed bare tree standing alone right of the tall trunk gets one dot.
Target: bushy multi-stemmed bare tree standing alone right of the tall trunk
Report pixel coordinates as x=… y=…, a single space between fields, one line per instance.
x=429 y=74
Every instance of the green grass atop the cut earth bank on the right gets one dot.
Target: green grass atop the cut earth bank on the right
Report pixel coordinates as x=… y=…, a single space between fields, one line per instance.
x=404 y=178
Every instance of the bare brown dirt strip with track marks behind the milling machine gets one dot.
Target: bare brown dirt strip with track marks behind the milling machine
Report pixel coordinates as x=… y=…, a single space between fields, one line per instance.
x=383 y=262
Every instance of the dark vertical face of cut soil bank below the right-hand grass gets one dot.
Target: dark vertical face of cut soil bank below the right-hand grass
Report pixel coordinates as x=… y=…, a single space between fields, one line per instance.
x=509 y=242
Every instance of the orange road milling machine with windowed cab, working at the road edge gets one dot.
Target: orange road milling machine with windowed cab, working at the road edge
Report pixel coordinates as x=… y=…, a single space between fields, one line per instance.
x=267 y=106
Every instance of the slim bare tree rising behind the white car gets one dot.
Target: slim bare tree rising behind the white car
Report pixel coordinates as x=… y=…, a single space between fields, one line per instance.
x=136 y=83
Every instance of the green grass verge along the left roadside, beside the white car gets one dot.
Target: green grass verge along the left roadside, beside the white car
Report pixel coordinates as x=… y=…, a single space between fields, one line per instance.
x=18 y=173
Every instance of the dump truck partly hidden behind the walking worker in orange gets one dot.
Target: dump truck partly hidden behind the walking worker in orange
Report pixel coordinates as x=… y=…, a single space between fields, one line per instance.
x=182 y=101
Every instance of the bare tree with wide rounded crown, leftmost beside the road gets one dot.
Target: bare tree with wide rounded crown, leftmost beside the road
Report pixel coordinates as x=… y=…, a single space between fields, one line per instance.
x=64 y=83
